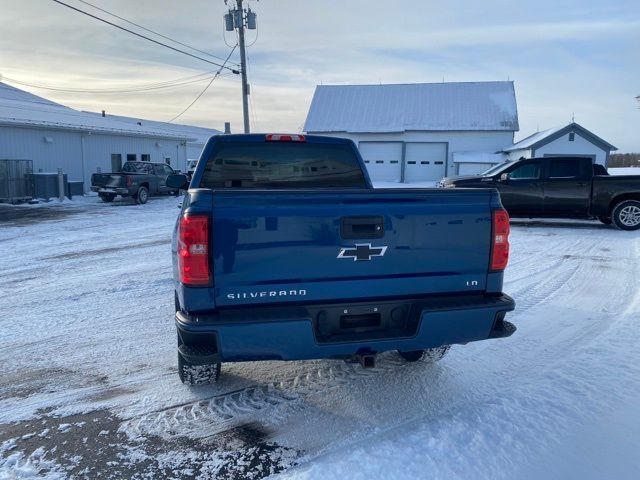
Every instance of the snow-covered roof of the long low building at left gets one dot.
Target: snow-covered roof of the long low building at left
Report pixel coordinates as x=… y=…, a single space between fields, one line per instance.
x=21 y=108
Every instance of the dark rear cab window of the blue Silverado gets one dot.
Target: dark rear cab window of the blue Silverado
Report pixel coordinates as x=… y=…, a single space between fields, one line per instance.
x=282 y=165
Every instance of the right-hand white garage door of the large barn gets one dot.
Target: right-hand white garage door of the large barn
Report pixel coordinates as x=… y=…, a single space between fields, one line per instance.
x=425 y=162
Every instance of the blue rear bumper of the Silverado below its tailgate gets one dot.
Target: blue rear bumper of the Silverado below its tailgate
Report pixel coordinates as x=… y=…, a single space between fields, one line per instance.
x=292 y=334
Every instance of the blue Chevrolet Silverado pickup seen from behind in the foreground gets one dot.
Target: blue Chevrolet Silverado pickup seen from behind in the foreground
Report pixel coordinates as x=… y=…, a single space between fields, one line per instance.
x=284 y=251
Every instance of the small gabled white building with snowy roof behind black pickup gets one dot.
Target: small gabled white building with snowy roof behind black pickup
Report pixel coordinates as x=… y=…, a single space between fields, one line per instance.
x=572 y=140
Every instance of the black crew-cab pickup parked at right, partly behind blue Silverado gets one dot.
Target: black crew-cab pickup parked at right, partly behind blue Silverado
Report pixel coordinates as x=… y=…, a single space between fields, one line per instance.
x=570 y=187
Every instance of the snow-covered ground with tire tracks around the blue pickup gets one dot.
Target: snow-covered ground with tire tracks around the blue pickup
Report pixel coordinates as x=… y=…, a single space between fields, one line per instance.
x=88 y=383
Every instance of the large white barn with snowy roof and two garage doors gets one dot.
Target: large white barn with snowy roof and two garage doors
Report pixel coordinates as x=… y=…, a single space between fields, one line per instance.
x=418 y=132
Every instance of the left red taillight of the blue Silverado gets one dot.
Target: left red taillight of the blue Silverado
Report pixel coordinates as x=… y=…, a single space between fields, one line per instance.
x=193 y=250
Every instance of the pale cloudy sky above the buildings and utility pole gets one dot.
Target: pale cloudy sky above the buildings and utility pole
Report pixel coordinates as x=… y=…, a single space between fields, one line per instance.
x=566 y=57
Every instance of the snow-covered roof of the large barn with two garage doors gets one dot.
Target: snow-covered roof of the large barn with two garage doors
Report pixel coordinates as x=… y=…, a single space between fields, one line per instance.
x=420 y=106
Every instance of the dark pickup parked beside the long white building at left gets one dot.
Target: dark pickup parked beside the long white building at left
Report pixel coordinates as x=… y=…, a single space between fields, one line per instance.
x=136 y=179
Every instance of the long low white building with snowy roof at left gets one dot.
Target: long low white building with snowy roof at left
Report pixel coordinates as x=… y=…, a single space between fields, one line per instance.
x=81 y=143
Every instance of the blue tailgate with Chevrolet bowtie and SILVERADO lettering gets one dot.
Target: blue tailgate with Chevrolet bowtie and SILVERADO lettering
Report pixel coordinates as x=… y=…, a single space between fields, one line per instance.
x=281 y=246
